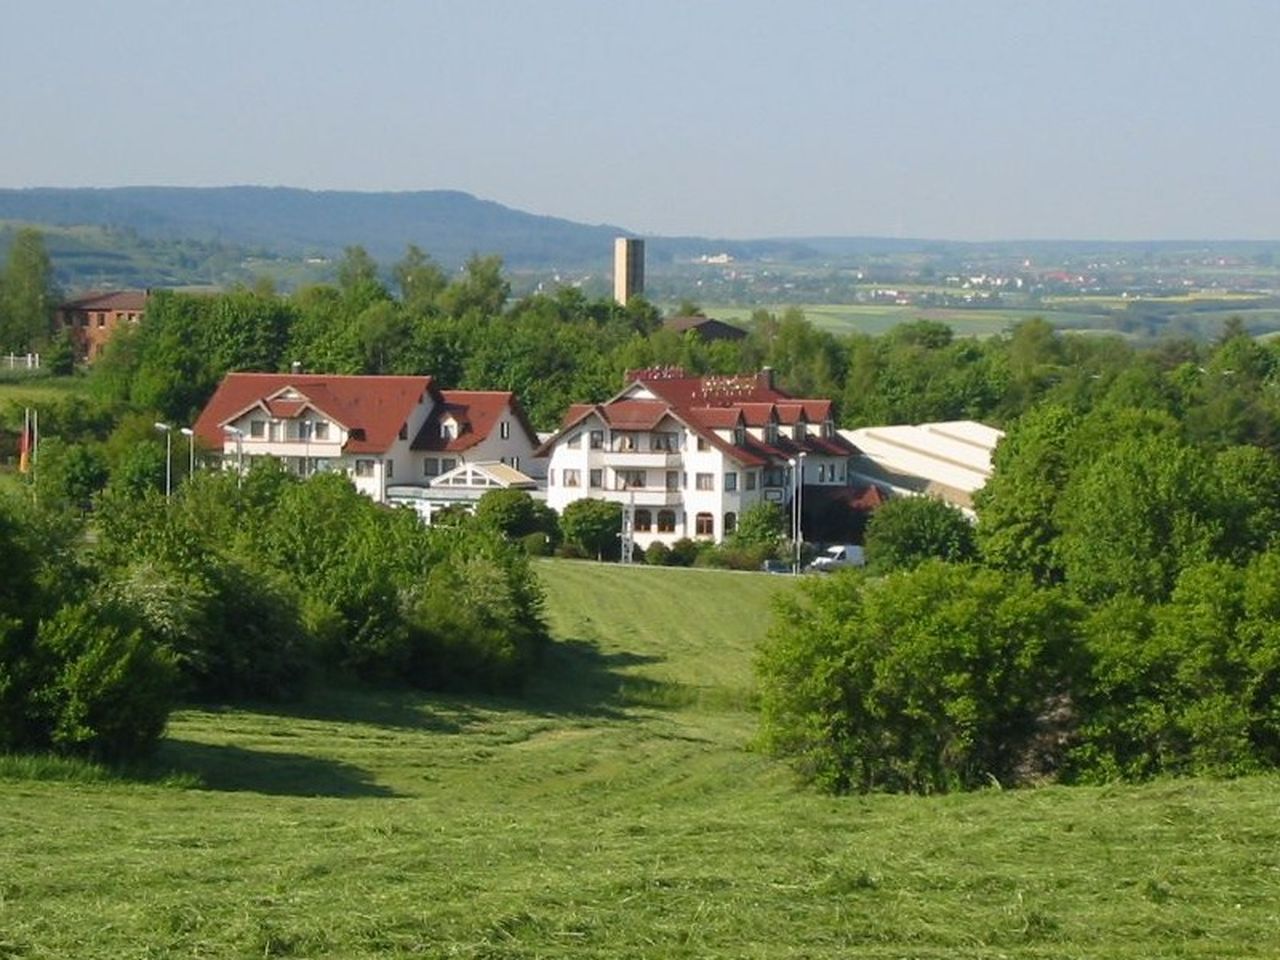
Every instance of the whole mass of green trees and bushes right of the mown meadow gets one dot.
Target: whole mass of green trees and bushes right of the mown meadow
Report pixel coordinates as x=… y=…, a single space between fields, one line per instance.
x=1112 y=615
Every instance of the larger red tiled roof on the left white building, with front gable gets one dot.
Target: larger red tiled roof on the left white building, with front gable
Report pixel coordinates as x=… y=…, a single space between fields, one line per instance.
x=373 y=409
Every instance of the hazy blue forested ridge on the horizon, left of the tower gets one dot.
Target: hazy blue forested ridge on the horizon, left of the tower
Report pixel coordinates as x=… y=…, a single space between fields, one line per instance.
x=449 y=225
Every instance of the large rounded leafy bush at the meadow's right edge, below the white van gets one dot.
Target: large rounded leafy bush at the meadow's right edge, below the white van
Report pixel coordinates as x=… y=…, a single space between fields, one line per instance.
x=930 y=680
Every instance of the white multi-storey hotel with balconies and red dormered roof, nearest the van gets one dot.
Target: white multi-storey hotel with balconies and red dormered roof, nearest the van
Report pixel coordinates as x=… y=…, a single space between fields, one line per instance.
x=688 y=455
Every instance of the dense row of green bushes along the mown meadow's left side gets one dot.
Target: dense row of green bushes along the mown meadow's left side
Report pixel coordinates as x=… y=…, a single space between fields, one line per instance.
x=245 y=589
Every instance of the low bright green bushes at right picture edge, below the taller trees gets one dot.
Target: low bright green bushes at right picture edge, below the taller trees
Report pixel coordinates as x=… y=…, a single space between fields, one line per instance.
x=1187 y=687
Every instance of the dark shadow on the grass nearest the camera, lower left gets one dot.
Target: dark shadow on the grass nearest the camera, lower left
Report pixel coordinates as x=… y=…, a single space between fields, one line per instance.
x=235 y=769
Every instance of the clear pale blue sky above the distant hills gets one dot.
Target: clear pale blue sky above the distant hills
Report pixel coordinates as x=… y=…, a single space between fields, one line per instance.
x=954 y=120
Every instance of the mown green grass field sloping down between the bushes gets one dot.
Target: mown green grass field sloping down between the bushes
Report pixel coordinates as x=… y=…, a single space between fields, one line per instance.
x=615 y=811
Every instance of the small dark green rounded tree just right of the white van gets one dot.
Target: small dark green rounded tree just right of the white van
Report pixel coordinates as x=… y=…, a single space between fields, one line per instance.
x=908 y=531
